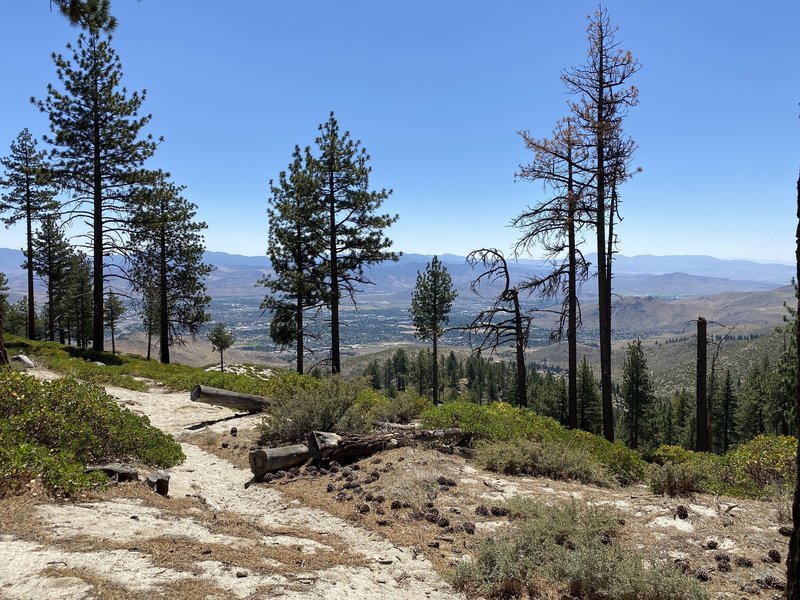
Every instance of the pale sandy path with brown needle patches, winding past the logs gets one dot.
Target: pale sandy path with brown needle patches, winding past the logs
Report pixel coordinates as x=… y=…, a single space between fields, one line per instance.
x=212 y=538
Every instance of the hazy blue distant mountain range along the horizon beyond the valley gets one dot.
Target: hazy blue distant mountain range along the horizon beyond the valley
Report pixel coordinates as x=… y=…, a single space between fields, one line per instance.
x=660 y=276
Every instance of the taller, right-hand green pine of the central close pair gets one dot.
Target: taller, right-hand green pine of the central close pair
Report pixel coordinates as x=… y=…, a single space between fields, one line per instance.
x=353 y=234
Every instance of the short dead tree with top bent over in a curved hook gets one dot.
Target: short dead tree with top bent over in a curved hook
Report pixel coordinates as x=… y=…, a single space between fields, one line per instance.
x=504 y=322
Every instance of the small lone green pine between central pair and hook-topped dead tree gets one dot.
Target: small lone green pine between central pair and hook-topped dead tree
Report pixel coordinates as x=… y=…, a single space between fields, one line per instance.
x=430 y=310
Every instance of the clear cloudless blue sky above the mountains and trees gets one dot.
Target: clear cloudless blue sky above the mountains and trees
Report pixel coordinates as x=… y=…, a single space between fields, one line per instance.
x=437 y=92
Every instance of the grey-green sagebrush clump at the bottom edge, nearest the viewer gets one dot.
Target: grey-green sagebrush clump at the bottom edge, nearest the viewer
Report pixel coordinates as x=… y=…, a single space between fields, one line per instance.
x=572 y=549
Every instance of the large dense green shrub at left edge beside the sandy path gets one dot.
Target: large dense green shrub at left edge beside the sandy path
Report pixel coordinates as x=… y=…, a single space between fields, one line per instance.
x=53 y=429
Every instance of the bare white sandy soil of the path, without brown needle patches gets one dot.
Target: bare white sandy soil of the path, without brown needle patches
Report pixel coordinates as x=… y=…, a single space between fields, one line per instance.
x=385 y=570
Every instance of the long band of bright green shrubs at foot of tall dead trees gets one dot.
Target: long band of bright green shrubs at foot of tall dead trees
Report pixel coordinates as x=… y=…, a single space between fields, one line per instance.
x=503 y=422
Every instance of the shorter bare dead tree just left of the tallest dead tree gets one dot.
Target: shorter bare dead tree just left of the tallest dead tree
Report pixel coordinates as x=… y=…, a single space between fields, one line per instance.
x=561 y=163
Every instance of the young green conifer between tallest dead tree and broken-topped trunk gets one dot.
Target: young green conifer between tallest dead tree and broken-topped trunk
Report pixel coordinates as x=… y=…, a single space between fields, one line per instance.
x=637 y=394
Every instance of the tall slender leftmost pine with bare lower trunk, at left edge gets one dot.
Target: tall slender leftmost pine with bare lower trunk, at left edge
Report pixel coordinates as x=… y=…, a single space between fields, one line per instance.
x=29 y=198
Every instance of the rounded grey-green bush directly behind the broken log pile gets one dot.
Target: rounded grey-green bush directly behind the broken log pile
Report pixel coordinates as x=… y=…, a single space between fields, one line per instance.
x=333 y=403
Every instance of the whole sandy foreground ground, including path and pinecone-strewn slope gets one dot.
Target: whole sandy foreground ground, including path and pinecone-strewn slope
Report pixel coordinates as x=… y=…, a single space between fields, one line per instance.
x=412 y=516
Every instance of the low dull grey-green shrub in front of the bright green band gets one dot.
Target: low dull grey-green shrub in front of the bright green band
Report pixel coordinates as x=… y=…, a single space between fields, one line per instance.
x=543 y=459
